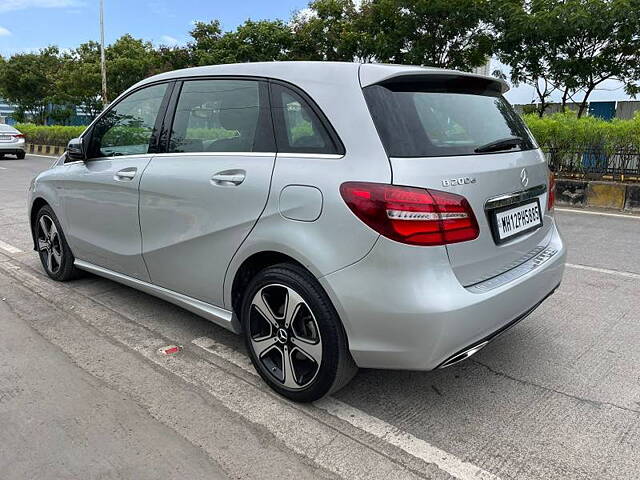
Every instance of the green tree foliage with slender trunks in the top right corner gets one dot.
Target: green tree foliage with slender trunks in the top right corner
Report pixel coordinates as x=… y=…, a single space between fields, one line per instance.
x=569 y=46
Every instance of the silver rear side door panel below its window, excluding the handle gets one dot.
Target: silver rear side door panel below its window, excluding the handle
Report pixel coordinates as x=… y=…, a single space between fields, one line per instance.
x=191 y=225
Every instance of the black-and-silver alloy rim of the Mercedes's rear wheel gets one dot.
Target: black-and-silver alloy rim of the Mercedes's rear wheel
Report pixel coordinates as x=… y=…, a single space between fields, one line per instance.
x=285 y=336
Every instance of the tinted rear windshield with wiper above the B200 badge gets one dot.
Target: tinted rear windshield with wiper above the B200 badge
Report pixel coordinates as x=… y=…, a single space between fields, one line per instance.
x=443 y=117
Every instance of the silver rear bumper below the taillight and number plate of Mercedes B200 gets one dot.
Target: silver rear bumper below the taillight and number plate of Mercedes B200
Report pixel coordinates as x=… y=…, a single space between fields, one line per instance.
x=403 y=307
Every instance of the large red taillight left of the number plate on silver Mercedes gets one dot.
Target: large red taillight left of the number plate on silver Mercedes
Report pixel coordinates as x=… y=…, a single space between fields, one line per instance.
x=412 y=215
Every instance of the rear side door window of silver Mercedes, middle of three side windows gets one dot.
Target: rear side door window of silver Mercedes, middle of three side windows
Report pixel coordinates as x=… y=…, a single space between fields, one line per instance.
x=222 y=116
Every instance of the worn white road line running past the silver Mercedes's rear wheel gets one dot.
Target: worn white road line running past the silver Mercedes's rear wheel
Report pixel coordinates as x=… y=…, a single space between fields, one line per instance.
x=374 y=426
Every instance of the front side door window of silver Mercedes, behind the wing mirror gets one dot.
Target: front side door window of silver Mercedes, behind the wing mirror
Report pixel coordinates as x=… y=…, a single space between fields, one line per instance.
x=128 y=127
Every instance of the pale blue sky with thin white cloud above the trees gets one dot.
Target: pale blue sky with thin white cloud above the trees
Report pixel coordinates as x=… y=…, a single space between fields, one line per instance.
x=27 y=25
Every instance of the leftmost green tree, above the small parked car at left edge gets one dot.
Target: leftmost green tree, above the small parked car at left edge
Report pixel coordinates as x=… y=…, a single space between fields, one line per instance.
x=28 y=80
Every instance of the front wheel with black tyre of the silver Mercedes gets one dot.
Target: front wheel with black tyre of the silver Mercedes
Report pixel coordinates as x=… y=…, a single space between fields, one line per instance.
x=63 y=269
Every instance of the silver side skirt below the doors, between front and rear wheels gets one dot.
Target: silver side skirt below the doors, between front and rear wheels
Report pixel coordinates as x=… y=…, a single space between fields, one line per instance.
x=217 y=315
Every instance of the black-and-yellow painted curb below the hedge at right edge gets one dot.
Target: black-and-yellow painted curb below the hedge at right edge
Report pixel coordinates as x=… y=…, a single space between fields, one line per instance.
x=610 y=195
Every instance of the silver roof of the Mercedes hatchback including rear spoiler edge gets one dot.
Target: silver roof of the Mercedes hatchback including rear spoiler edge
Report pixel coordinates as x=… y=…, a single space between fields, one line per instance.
x=300 y=73
